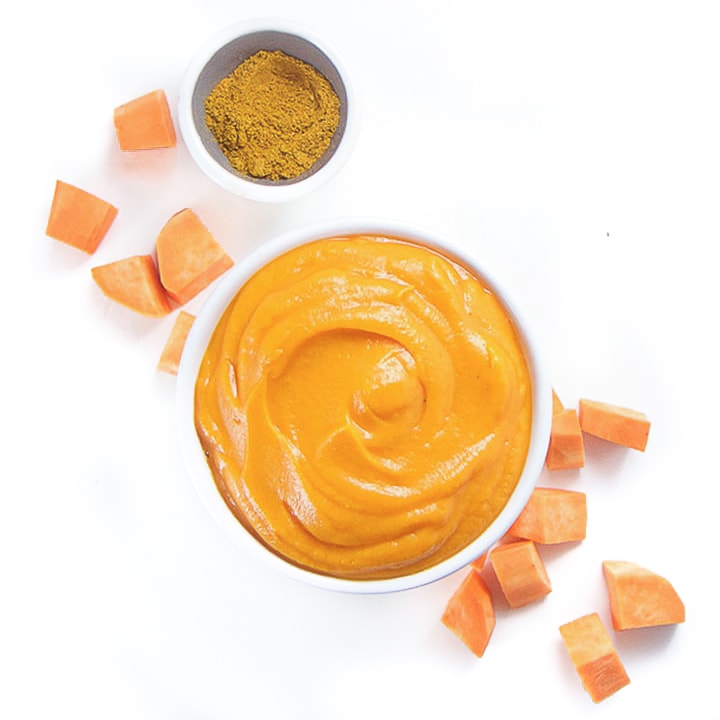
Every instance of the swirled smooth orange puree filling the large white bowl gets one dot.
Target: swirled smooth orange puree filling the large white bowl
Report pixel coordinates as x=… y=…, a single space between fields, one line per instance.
x=364 y=404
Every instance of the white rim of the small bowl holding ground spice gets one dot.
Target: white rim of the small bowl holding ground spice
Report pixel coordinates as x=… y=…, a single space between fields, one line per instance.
x=234 y=183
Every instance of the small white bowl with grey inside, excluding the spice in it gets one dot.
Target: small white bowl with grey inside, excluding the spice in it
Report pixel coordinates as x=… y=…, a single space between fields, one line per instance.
x=217 y=58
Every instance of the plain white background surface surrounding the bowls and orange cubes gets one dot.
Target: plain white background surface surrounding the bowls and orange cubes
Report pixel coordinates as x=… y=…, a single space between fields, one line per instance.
x=574 y=145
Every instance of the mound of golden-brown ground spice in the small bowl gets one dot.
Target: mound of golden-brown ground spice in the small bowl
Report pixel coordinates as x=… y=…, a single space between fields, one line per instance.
x=274 y=116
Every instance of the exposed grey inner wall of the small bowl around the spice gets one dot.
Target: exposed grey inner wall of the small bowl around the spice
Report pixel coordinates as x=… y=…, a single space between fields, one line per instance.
x=234 y=52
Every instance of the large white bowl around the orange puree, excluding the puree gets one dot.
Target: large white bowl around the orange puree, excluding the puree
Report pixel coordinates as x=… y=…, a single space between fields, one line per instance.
x=196 y=461
